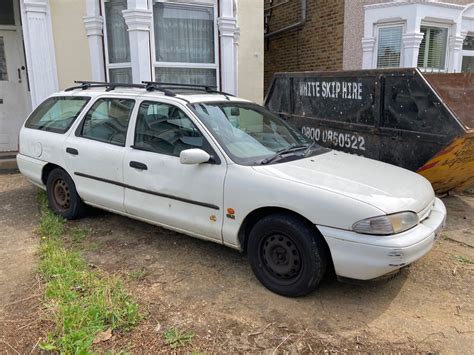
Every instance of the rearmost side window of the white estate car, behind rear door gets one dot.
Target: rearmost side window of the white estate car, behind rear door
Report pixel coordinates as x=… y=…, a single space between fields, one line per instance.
x=57 y=114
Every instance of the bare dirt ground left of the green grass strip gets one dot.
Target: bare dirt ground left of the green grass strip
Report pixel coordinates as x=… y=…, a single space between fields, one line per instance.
x=20 y=287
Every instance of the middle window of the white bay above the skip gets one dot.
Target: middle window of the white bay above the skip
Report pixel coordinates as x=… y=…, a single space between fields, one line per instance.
x=432 y=54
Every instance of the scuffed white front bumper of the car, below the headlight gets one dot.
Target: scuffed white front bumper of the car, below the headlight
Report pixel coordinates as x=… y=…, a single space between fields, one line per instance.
x=365 y=257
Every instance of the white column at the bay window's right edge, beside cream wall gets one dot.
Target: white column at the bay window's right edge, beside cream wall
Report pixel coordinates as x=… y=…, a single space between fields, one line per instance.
x=228 y=36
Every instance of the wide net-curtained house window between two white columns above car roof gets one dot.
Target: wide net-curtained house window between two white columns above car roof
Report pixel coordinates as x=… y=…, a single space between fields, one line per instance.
x=185 y=43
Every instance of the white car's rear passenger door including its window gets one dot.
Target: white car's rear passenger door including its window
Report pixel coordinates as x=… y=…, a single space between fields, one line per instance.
x=95 y=152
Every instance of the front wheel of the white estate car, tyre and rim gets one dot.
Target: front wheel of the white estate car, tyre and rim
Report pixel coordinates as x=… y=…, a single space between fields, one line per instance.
x=287 y=255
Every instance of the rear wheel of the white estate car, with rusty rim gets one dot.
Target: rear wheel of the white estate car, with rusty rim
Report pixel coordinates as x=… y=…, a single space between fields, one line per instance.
x=62 y=195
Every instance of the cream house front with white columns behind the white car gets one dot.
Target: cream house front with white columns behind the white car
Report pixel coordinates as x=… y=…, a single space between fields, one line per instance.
x=47 y=44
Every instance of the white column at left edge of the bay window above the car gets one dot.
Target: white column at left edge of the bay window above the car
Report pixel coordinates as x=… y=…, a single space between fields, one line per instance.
x=94 y=25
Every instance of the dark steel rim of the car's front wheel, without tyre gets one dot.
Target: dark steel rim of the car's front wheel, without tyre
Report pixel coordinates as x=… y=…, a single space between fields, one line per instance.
x=280 y=258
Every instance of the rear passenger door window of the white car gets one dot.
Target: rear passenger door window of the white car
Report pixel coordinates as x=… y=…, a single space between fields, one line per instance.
x=107 y=120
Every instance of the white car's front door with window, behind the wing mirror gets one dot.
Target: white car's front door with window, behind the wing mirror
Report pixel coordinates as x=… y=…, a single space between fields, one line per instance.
x=161 y=189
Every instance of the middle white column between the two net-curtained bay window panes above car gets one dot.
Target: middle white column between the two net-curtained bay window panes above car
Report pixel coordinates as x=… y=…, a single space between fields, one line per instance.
x=138 y=18
